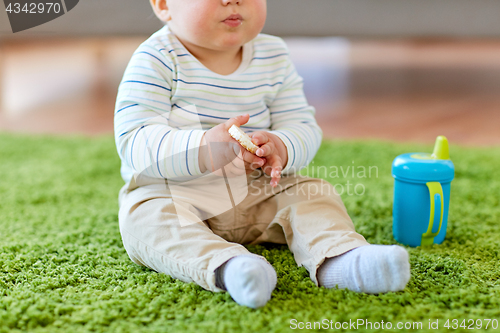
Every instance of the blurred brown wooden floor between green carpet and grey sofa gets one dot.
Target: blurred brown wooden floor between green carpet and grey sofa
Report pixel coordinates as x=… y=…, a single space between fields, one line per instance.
x=402 y=90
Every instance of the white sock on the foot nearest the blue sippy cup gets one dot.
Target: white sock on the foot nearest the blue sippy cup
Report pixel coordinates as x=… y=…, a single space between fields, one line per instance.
x=371 y=269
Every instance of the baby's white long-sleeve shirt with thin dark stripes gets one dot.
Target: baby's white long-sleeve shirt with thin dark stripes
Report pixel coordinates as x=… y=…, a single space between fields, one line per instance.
x=167 y=99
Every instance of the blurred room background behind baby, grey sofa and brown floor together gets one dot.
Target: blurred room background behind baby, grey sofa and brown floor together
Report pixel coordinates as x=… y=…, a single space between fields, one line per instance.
x=400 y=70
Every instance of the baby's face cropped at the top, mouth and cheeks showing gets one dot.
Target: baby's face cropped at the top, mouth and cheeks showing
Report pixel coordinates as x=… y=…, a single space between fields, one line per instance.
x=202 y=22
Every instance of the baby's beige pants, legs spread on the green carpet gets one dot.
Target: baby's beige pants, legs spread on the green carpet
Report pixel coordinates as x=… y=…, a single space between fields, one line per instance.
x=305 y=213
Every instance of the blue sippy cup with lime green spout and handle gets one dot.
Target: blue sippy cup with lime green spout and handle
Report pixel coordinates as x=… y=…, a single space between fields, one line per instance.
x=422 y=195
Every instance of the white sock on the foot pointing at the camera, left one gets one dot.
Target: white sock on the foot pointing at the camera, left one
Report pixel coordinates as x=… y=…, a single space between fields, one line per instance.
x=248 y=279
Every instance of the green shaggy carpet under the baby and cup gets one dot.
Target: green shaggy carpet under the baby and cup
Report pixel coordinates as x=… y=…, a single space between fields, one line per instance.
x=63 y=267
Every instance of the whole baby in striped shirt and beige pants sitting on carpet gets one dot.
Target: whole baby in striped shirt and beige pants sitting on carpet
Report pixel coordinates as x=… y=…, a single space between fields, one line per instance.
x=207 y=69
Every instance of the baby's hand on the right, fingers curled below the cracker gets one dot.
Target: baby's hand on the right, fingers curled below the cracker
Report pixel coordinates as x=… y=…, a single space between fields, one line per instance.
x=274 y=151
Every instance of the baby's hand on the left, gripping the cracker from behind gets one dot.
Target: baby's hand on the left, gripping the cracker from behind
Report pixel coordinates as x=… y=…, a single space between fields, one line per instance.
x=219 y=149
